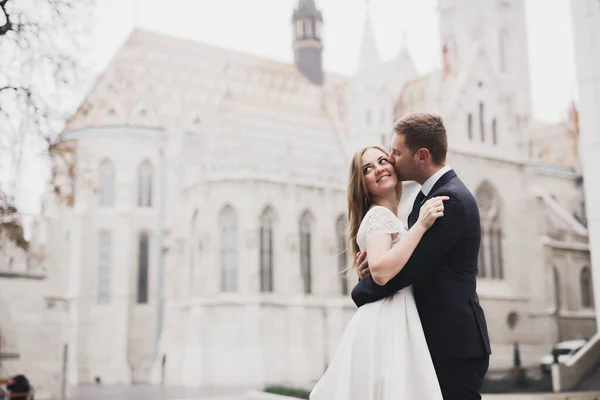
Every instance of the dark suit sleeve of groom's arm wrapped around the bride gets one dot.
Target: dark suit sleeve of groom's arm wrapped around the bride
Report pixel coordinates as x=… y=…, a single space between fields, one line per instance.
x=435 y=245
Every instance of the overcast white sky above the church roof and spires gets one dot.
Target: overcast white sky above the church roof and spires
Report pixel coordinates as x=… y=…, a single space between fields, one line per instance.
x=263 y=27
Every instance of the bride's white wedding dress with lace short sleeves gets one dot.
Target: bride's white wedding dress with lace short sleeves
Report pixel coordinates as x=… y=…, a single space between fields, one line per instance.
x=382 y=354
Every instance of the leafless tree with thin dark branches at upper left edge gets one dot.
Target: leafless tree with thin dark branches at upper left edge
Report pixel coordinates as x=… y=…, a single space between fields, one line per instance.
x=40 y=41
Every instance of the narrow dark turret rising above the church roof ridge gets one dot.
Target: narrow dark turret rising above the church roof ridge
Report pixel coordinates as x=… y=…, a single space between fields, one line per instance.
x=308 y=41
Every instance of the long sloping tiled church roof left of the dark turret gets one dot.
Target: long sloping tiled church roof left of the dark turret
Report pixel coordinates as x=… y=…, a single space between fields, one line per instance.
x=152 y=66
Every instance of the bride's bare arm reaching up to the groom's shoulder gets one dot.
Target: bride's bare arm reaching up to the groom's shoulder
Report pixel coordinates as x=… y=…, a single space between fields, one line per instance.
x=386 y=261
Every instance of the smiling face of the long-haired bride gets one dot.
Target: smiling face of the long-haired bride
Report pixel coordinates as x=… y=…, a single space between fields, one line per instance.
x=379 y=174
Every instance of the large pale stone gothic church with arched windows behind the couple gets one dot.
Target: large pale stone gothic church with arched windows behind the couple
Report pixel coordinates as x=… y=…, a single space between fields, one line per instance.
x=206 y=239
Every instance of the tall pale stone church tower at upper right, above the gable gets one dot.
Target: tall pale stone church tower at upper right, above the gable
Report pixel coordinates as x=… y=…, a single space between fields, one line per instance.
x=498 y=29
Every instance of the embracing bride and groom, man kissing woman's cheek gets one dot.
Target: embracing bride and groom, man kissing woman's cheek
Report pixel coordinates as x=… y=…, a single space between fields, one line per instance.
x=419 y=332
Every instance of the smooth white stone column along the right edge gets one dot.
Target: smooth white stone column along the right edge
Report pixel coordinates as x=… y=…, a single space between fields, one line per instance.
x=586 y=25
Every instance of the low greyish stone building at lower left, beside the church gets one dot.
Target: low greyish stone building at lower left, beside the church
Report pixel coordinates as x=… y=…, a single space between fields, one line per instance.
x=31 y=323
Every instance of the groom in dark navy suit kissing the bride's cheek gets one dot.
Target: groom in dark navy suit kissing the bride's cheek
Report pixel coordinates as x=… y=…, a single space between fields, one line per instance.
x=443 y=268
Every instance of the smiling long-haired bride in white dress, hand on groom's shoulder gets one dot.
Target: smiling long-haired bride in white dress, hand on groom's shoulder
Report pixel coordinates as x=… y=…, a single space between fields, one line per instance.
x=382 y=354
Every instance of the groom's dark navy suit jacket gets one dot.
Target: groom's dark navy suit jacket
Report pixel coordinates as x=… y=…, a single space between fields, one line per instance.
x=442 y=271
